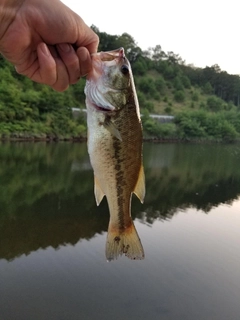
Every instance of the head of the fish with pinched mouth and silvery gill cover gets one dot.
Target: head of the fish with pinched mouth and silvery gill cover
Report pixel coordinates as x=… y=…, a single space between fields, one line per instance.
x=108 y=84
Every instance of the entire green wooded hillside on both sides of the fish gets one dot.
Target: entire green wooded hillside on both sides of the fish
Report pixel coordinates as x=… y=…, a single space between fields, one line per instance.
x=165 y=84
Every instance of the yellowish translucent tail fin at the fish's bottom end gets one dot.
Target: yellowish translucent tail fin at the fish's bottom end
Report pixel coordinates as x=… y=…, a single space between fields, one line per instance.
x=125 y=241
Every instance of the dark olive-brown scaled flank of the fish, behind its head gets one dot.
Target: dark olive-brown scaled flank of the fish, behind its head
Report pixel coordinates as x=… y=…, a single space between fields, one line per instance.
x=127 y=161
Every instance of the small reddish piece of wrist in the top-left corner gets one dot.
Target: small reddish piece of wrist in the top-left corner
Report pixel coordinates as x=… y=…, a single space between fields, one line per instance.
x=8 y=11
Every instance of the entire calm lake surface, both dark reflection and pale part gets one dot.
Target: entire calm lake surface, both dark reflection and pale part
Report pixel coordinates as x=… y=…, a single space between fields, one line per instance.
x=52 y=236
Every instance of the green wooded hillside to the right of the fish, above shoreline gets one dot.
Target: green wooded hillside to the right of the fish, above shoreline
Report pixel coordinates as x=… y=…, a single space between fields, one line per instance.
x=205 y=102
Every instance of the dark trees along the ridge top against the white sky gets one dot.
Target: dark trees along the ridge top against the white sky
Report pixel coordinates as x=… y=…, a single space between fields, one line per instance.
x=170 y=65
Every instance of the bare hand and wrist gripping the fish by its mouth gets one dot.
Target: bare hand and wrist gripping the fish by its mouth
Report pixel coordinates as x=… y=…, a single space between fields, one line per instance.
x=46 y=41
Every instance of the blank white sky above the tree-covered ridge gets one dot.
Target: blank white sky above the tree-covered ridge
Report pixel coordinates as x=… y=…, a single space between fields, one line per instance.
x=202 y=32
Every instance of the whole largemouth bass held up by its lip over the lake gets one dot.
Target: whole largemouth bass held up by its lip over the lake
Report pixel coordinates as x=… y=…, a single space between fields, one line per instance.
x=115 y=147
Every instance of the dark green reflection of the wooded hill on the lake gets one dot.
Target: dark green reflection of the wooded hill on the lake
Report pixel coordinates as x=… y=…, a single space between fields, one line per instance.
x=46 y=190
